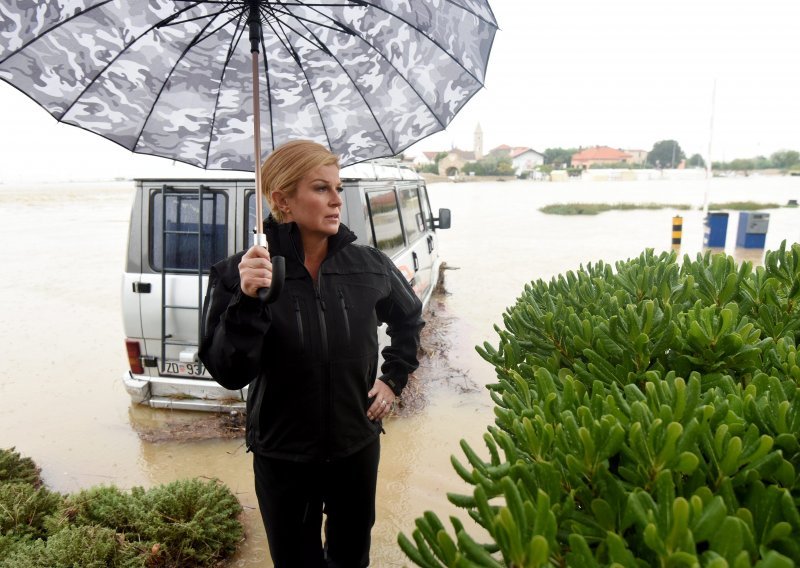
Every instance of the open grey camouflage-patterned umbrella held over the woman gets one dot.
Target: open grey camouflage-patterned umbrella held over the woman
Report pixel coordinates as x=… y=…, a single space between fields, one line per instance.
x=183 y=80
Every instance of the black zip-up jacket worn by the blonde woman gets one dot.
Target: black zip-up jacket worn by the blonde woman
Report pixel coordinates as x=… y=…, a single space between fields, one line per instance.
x=311 y=356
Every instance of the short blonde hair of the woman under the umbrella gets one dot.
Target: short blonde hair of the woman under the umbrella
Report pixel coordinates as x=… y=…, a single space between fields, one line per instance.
x=287 y=165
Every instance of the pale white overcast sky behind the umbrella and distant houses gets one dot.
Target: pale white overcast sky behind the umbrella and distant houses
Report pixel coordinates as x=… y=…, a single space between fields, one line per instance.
x=568 y=73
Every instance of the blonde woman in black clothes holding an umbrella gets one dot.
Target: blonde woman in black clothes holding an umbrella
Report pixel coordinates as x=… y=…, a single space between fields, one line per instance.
x=314 y=404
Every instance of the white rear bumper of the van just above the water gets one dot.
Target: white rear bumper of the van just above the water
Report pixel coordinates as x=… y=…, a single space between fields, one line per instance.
x=182 y=394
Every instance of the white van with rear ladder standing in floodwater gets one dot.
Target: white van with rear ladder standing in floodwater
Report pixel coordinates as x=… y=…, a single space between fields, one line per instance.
x=170 y=252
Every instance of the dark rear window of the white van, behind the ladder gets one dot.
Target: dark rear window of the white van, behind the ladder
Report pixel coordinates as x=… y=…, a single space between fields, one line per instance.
x=181 y=212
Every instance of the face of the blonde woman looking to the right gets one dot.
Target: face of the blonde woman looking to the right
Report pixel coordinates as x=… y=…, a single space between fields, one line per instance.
x=316 y=204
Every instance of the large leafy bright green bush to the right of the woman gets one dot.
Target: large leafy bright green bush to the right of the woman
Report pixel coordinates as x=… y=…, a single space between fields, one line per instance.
x=645 y=416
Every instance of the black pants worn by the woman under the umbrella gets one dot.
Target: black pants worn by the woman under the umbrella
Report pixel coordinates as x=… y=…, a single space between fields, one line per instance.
x=293 y=496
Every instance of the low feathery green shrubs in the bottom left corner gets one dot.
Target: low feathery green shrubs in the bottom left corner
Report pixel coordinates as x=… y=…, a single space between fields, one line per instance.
x=186 y=523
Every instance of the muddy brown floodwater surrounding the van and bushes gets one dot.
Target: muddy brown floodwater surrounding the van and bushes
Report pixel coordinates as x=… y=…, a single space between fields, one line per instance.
x=62 y=355
